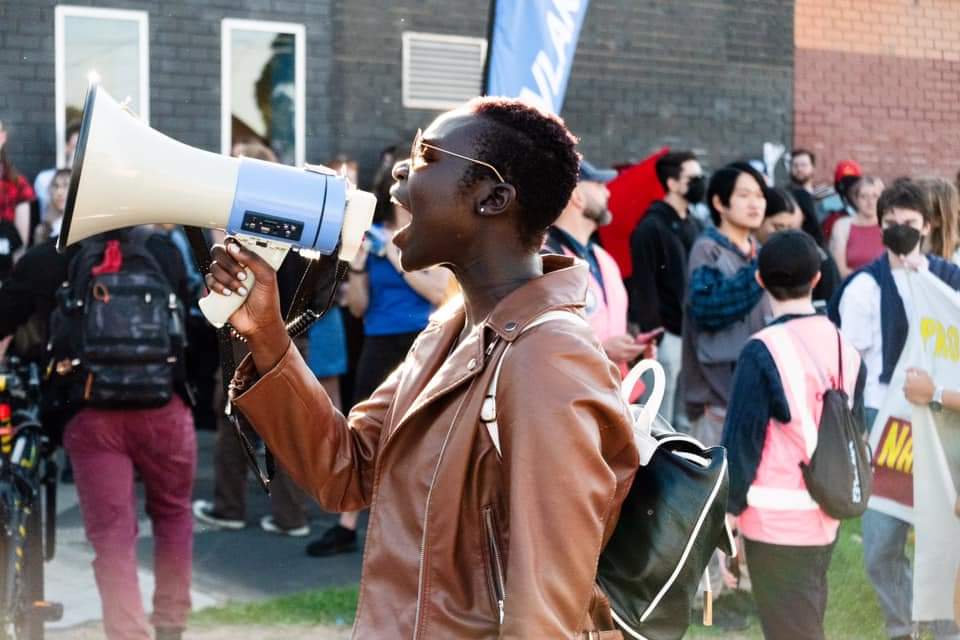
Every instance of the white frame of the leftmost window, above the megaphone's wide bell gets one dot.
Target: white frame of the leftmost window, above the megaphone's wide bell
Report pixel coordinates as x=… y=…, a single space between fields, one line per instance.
x=61 y=13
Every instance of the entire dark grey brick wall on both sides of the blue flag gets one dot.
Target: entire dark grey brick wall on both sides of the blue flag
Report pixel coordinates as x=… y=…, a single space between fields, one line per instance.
x=715 y=75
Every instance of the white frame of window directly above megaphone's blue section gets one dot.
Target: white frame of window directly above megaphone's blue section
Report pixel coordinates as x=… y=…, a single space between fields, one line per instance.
x=299 y=31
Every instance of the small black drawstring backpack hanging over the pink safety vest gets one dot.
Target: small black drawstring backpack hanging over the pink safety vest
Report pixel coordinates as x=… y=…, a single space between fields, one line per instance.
x=839 y=475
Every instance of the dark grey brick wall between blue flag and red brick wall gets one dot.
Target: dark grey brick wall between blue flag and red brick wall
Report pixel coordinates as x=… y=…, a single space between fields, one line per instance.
x=713 y=75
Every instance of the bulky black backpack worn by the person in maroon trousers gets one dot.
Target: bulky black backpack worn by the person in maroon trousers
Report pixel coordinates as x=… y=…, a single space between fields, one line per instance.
x=117 y=340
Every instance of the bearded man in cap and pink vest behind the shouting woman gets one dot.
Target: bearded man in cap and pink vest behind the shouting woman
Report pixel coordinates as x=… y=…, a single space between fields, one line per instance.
x=572 y=235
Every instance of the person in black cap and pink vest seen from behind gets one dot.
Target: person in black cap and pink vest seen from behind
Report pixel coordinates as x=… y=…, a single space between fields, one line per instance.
x=771 y=428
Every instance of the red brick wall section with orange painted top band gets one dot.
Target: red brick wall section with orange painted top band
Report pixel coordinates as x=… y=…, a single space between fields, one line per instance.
x=878 y=81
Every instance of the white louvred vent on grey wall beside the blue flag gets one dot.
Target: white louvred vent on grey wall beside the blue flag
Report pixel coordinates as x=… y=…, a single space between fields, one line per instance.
x=441 y=72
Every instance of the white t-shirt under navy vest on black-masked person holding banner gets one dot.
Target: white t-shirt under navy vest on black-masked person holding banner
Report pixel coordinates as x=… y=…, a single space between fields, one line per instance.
x=860 y=324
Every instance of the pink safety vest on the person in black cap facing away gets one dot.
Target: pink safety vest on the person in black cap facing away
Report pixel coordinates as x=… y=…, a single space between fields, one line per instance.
x=779 y=509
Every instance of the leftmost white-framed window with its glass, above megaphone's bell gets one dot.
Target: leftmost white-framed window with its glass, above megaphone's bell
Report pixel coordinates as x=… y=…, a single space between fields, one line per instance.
x=110 y=44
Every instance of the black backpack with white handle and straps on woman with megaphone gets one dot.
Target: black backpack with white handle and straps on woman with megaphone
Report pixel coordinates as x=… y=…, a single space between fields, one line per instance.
x=671 y=522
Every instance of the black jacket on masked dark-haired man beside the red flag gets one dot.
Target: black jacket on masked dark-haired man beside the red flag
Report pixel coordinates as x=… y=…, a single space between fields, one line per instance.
x=659 y=247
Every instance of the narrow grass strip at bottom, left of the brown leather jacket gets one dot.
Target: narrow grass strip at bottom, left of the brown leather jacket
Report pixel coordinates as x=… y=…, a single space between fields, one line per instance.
x=327 y=606
